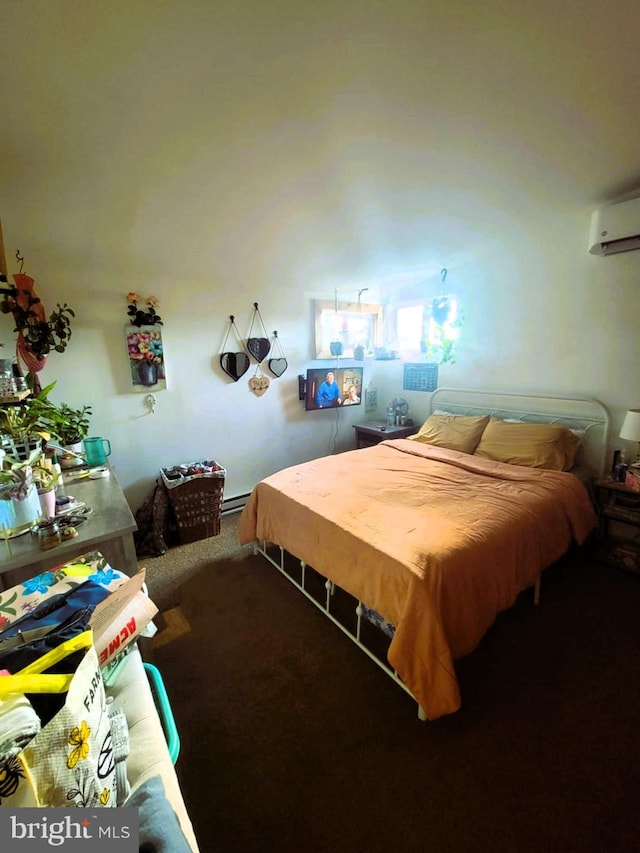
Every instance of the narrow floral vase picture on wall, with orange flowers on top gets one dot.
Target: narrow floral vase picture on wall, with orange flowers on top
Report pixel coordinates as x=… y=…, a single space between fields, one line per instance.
x=144 y=344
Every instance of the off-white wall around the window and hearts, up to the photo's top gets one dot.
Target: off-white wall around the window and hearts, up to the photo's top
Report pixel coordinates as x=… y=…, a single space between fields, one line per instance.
x=217 y=155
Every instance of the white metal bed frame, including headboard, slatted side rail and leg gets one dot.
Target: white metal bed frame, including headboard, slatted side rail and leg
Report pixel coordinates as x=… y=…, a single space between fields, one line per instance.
x=584 y=413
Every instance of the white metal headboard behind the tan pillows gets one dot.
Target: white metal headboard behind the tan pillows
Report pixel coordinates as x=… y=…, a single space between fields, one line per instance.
x=583 y=413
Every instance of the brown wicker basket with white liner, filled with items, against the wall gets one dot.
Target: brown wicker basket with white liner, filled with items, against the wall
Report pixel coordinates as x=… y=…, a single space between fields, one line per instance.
x=196 y=502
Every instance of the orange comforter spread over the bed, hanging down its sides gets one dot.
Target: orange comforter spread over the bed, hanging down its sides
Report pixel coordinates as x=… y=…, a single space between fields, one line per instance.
x=437 y=541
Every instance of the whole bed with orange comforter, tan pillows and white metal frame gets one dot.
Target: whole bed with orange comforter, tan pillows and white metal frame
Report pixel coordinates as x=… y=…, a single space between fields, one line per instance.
x=431 y=540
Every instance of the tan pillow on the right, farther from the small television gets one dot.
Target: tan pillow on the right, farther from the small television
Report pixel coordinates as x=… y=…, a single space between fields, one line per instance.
x=534 y=445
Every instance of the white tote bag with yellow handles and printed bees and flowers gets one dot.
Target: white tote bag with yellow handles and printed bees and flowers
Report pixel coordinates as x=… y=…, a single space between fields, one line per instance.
x=70 y=761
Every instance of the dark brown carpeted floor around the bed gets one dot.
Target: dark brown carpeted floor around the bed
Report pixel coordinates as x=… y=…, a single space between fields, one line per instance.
x=292 y=740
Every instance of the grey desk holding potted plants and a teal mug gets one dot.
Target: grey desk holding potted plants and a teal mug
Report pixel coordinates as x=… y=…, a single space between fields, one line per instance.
x=109 y=529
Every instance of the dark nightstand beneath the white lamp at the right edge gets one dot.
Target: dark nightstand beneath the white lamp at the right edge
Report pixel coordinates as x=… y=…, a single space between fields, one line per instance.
x=618 y=525
